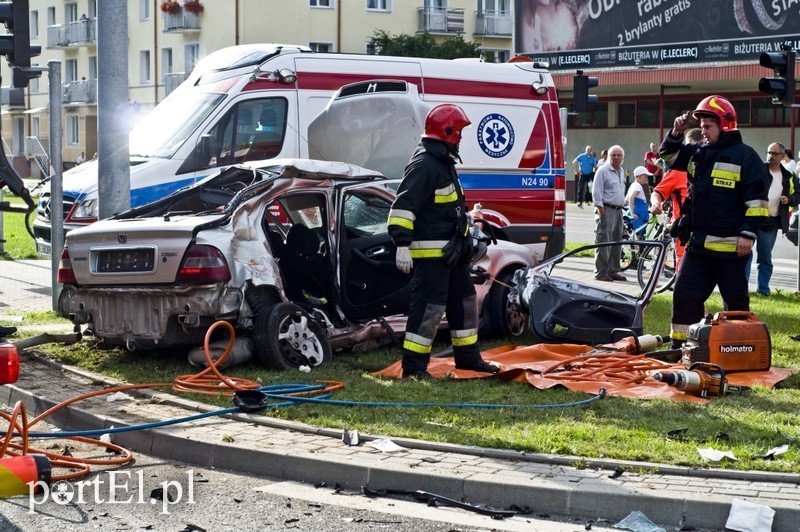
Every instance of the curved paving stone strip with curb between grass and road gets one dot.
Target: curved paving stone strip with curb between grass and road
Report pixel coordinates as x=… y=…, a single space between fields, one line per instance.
x=670 y=496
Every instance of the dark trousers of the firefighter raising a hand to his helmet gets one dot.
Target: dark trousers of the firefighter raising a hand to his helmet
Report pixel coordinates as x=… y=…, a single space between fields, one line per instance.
x=697 y=277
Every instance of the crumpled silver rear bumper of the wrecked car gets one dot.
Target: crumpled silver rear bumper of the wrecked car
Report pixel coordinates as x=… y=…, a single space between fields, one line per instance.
x=143 y=314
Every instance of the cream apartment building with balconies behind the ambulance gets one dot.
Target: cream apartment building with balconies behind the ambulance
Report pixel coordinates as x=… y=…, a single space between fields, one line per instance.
x=166 y=39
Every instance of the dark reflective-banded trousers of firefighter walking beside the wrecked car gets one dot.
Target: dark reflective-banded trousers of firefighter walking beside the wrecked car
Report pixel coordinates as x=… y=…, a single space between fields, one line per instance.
x=435 y=289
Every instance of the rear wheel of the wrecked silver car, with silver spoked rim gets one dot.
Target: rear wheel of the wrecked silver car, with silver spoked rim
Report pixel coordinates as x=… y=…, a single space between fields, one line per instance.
x=287 y=338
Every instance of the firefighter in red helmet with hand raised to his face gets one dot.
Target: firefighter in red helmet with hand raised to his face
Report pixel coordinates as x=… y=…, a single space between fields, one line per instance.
x=726 y=206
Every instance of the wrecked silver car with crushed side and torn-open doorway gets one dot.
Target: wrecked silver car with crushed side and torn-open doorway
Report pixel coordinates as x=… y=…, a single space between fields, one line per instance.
x=294 y=253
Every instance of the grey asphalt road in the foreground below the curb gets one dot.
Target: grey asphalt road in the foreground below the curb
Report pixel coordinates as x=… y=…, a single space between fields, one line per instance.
x=220 y=500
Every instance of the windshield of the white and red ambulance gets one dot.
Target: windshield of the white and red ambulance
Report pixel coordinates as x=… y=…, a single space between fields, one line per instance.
x=166 y=128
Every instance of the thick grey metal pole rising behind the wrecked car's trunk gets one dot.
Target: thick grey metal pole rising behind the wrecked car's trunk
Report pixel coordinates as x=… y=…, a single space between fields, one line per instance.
x=113 y=175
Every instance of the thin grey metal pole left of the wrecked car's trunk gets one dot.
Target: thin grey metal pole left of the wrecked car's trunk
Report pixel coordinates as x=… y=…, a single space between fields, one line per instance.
x=56 y=186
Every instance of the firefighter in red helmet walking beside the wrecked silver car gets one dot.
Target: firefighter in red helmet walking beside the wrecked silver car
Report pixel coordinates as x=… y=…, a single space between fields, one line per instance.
x=428 y=223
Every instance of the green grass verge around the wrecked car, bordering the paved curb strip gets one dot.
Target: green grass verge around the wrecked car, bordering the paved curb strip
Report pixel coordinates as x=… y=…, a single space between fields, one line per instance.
x=748 y=424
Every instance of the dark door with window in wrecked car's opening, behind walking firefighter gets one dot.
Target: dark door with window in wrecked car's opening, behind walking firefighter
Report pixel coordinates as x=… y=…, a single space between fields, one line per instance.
x=371 y=284
